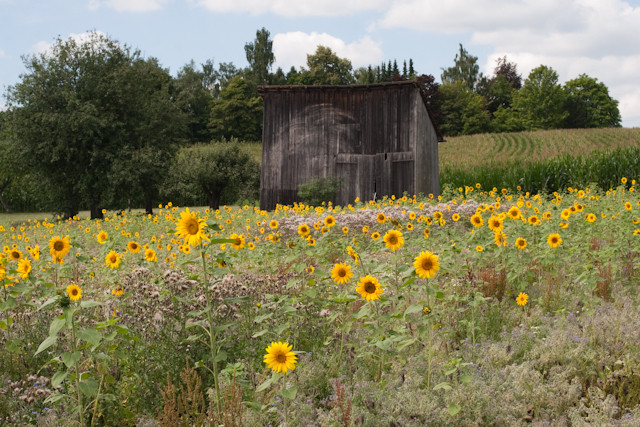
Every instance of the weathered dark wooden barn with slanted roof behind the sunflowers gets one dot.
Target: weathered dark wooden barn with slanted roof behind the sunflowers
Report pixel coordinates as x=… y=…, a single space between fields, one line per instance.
x=377 y=139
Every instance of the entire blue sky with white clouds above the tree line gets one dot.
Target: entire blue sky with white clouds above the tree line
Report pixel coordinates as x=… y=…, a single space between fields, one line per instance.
x=600 y=38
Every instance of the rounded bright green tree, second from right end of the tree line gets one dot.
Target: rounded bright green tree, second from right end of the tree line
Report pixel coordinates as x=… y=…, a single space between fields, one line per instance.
x=540 y=104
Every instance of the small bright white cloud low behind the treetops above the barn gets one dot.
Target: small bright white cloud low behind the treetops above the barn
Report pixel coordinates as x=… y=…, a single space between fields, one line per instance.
x=291 y=49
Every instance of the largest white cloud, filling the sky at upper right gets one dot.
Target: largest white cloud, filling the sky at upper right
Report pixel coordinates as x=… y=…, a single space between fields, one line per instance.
x=595 y=37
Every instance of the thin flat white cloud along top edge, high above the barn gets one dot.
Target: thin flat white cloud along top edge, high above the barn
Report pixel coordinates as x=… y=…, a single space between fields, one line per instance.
x=293 y=8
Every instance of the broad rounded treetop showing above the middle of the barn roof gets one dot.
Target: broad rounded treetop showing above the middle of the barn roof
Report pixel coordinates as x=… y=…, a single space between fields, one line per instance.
x=325 y=67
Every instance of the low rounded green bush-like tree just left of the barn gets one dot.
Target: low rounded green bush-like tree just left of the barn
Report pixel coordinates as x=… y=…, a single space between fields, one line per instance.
x=212 y=173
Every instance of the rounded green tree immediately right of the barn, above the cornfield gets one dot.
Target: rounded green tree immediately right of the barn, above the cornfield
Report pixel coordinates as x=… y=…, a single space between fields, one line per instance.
x=463 y=111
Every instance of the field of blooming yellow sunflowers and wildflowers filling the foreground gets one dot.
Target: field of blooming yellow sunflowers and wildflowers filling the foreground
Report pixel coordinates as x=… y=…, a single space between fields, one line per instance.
x=482 y=306
